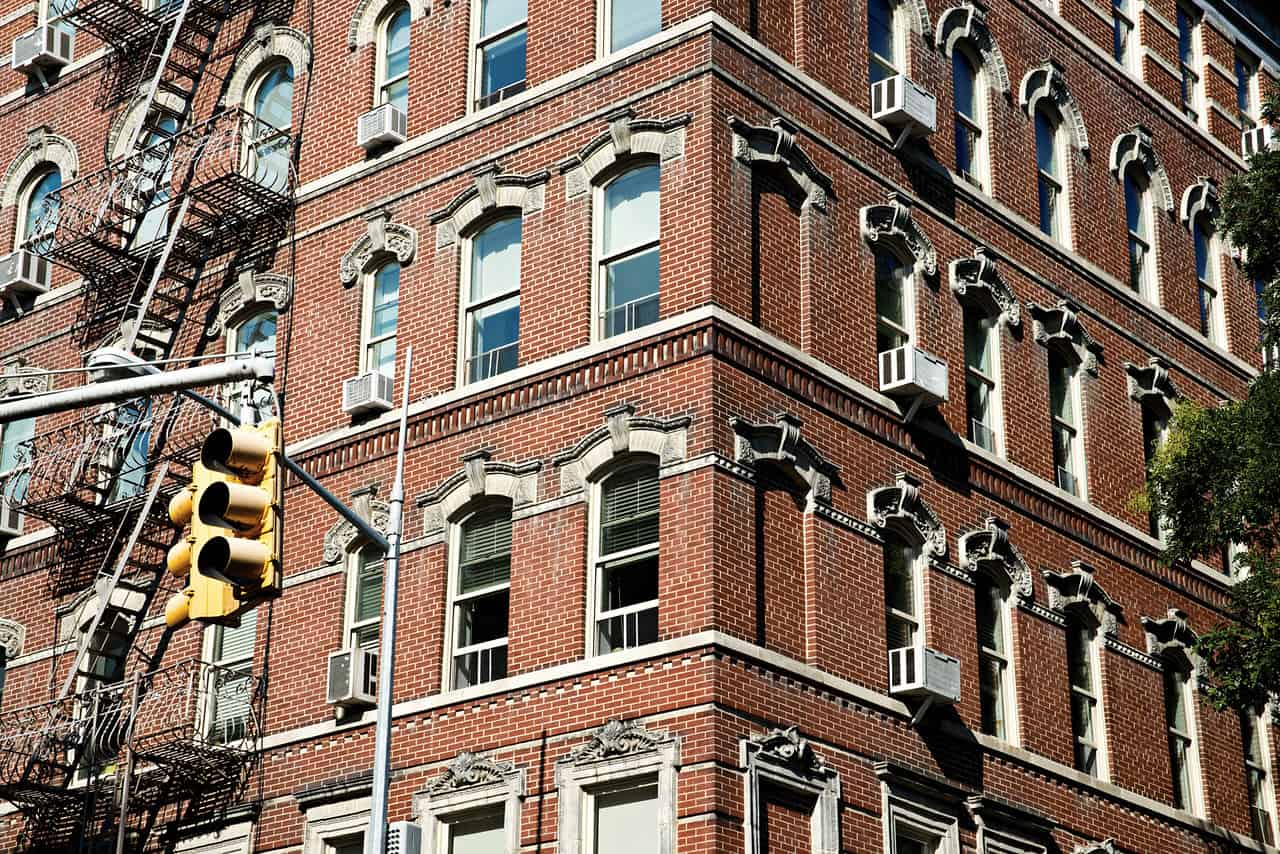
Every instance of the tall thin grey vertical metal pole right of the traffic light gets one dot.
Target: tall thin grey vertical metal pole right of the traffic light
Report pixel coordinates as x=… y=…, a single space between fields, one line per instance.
x=376 y=843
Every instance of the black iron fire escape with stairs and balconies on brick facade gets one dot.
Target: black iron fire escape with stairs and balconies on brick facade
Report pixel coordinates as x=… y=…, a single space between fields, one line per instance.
x=131 y=751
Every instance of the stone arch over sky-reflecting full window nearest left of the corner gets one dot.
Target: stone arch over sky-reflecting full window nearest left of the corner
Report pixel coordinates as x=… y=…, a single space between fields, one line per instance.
x=627 y=139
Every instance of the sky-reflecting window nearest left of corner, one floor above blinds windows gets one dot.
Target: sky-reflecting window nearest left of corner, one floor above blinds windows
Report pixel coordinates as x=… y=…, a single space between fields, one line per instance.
x=628 y=268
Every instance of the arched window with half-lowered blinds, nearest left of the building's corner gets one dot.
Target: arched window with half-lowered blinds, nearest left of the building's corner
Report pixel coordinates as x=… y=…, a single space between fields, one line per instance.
x=627 y=568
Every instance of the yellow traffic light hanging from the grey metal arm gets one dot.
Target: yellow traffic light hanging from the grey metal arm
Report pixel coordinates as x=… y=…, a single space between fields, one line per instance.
x=232 y=556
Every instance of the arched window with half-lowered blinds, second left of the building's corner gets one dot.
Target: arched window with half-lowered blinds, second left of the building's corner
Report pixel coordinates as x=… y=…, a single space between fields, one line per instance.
x=482 y=597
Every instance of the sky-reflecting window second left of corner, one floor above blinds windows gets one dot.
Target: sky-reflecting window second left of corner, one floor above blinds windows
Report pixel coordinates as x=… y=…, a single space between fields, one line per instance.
x=492 y=304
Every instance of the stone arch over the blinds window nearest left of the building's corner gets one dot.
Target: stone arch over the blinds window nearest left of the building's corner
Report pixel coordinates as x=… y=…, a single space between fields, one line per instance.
x=624 y=433
